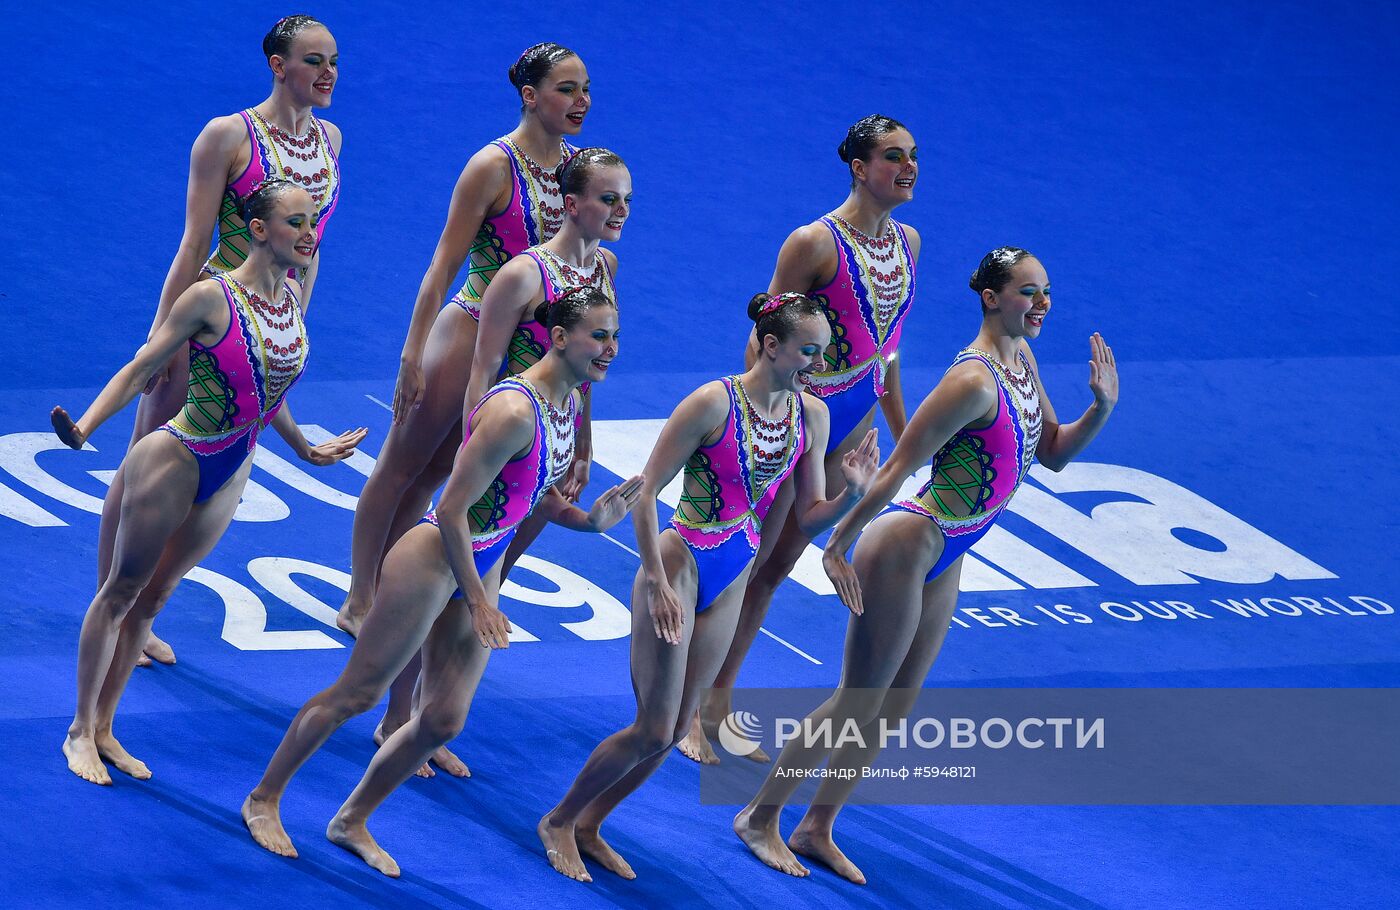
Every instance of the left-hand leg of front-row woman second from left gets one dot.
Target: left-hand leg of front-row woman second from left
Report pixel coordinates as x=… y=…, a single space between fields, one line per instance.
x=415 y=586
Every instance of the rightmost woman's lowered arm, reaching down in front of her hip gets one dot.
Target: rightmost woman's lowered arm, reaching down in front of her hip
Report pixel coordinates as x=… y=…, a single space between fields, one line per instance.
x=964 y=397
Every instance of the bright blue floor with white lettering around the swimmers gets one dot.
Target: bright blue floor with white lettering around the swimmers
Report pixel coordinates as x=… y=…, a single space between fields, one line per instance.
x=1209 y=187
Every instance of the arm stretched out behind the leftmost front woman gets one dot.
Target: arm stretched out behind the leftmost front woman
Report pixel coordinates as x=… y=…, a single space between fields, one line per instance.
x=194 y=313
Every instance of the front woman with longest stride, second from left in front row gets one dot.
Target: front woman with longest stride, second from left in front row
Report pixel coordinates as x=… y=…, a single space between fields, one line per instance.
x=442 y=580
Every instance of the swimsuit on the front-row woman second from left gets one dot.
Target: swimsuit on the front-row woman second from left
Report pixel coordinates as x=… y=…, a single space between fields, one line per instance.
x=524 y=481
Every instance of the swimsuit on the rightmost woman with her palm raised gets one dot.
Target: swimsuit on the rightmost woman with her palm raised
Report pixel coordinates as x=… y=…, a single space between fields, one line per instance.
x=975 y=474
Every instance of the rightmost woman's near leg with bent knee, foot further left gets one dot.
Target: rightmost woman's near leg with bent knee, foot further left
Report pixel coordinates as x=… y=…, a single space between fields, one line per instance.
x=892 y=558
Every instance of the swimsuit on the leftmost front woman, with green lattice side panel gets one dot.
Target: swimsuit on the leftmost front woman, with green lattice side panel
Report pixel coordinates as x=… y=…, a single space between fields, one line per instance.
x=239 y=384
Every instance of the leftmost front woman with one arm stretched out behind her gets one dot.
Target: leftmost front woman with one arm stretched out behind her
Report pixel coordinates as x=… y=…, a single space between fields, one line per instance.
x=247 y=345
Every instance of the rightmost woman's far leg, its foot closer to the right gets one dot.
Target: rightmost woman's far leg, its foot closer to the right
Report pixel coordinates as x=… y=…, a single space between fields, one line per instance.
x=813 y=836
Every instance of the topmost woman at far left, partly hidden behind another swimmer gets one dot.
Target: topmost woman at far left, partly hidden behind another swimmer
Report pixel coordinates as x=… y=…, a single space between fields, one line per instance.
x=281 y=138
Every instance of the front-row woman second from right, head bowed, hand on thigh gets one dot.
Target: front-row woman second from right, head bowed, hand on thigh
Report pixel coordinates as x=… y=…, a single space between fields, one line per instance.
x=738 y=440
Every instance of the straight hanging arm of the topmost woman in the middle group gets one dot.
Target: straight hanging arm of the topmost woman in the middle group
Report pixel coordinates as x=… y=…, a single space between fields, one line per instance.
x=474 y=198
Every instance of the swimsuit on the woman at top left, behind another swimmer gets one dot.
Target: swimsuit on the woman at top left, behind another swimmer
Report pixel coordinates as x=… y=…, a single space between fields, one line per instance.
x=320 y=176
